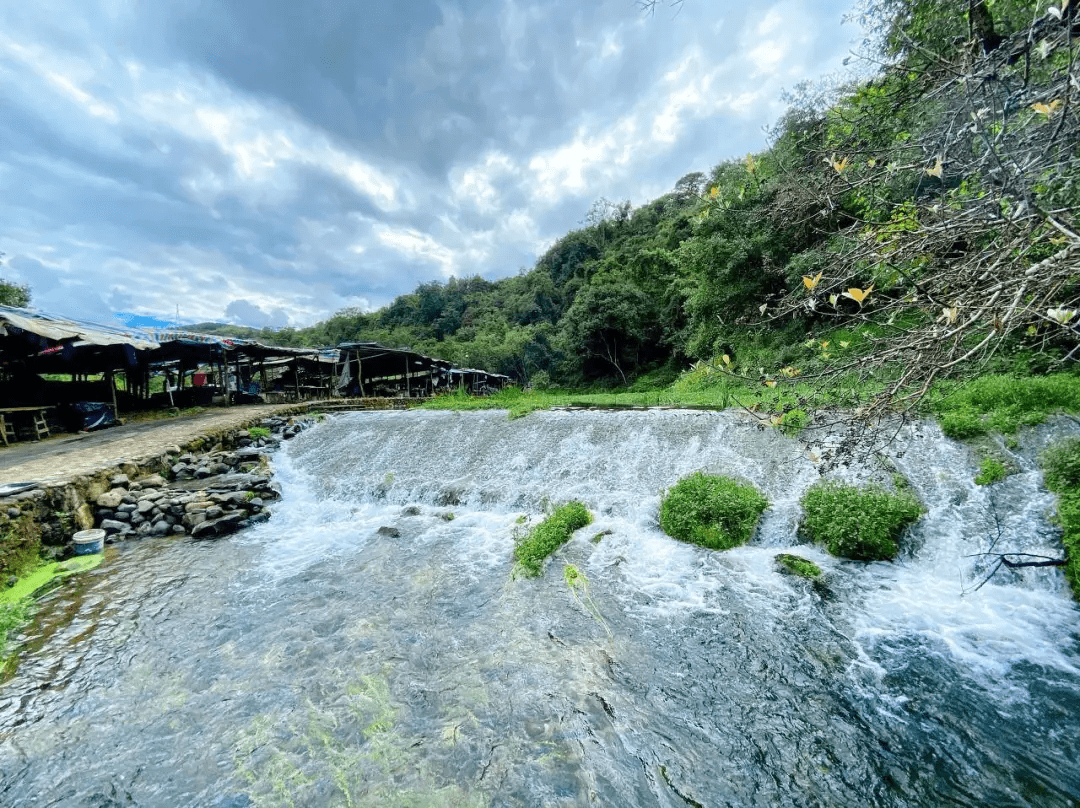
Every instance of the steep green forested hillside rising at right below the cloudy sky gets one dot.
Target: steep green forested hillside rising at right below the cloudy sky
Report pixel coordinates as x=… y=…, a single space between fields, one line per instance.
x=923 y=222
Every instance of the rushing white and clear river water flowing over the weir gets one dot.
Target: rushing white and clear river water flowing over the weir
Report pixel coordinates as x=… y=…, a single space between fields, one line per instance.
x=317 y=661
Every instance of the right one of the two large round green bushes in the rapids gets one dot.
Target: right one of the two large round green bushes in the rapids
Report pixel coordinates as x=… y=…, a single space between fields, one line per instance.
x=858 y=523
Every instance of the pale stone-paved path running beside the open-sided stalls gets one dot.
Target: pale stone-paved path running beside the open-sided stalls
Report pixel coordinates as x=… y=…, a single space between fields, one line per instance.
x=61 y=459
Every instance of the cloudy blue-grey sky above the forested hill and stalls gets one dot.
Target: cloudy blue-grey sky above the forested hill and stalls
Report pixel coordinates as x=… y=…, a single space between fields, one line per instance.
x=271 y=163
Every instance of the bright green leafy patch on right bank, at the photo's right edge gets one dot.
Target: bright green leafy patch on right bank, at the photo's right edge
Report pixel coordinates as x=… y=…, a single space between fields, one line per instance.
x=1003 y=403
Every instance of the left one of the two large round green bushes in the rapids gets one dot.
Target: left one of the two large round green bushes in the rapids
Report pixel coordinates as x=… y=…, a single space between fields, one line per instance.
x=713 y=511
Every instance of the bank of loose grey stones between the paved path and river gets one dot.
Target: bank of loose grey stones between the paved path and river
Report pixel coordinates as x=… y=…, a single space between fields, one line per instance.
x=213 y=484
